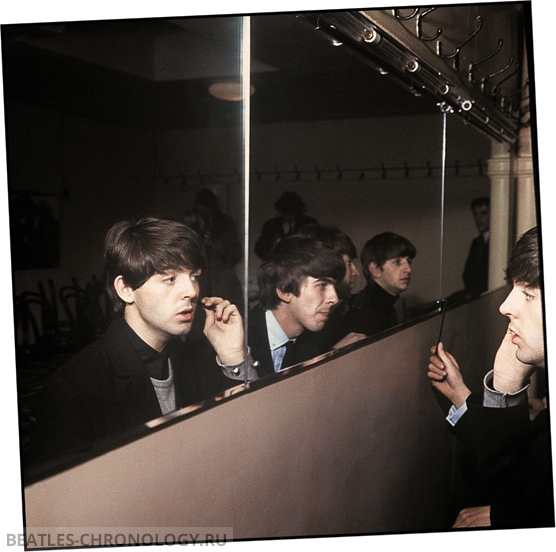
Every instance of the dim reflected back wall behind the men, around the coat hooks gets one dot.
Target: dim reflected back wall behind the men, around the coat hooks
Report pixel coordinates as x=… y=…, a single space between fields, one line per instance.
x=362 y=203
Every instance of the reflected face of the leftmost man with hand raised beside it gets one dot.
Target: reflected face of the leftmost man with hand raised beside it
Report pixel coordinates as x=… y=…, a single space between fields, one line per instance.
x=164 y=306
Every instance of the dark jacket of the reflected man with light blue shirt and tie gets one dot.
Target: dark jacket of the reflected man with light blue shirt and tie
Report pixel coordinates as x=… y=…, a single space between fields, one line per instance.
x=305 y=348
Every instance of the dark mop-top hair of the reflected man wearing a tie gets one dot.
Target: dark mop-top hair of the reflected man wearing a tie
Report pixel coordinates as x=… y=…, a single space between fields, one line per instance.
x=290 y=261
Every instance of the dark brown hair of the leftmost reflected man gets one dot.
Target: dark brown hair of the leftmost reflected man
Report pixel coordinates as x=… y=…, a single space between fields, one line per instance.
x=150 y=246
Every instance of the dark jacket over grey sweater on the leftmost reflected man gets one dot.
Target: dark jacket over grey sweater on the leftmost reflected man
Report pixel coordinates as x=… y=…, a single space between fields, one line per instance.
x=105 y=392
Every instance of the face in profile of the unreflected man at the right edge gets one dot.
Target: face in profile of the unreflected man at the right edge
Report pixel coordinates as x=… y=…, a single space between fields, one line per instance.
x=523 y=307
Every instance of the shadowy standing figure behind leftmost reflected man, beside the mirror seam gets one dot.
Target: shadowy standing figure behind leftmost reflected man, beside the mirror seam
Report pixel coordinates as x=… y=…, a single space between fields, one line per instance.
x=223 y=247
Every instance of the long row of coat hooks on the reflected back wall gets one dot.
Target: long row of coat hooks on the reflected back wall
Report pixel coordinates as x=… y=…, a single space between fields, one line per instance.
x=338 y=173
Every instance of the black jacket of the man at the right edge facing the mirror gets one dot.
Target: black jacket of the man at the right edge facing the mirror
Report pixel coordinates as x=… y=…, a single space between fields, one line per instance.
x=513 y=460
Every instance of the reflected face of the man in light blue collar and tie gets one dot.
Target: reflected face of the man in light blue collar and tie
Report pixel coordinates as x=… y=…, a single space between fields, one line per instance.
x=311 y=309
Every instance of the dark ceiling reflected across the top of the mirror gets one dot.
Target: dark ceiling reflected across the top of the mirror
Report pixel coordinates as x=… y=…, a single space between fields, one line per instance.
x=155 y=73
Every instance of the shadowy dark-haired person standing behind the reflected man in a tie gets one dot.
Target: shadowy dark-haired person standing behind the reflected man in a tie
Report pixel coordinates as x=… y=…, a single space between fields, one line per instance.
x=290 y=220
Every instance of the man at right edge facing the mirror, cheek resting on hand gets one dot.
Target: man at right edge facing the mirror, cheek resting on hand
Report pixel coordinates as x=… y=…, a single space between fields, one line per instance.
x=511 y=448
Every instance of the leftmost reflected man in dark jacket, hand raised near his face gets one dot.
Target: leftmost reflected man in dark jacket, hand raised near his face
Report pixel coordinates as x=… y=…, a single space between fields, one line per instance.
x=143 y=366
